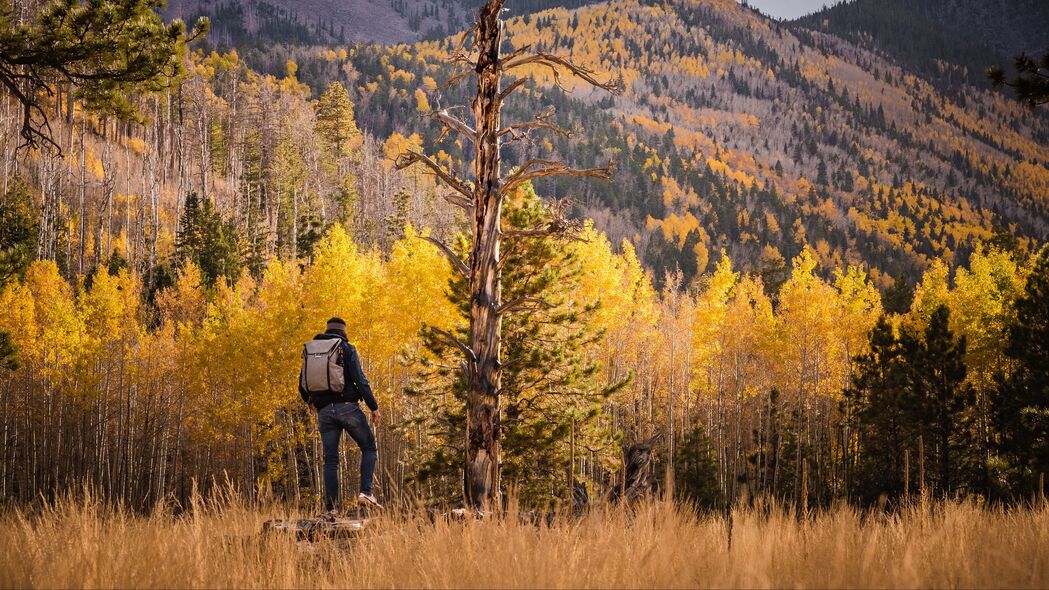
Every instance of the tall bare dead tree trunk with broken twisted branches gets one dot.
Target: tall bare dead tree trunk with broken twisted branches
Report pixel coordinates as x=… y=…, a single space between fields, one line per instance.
x=480 y=55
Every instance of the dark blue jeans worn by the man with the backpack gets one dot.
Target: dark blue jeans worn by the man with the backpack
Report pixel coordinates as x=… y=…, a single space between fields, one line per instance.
x=332 y=420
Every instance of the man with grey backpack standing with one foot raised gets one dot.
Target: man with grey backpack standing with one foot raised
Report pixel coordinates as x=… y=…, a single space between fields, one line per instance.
x=333 y=383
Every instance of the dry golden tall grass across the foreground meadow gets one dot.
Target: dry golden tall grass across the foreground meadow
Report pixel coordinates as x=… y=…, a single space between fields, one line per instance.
x=219 y=544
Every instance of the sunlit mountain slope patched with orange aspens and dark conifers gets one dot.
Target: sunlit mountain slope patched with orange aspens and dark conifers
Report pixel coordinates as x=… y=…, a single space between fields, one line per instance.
x=738 y=134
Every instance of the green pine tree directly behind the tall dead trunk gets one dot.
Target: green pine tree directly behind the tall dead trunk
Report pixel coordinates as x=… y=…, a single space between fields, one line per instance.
x=552 y=395
